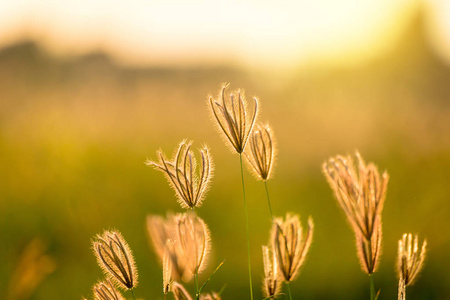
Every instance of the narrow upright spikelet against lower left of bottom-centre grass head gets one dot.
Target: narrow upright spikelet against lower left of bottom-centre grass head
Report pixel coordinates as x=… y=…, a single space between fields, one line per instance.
x=271 y=282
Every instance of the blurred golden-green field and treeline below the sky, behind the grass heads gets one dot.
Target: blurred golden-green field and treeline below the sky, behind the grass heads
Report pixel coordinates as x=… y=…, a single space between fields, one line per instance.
x=74 y=135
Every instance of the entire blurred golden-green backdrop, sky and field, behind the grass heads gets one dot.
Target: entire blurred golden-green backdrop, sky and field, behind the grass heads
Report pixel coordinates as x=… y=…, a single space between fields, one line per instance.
x=90 y=89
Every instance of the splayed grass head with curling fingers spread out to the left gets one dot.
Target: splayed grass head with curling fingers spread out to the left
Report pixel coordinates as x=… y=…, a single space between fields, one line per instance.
x=190 y=184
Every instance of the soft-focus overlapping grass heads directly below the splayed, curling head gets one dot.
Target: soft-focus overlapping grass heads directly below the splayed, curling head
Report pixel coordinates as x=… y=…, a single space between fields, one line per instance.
x=183 y=241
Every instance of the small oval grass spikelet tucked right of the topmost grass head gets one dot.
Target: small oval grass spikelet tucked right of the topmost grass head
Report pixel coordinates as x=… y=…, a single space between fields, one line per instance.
x=260 y=153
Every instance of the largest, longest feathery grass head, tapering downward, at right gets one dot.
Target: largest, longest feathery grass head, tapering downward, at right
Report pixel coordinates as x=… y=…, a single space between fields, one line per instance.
x=361 y=193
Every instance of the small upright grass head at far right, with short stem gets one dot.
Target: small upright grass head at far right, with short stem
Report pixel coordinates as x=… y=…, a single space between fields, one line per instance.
x=409 y=261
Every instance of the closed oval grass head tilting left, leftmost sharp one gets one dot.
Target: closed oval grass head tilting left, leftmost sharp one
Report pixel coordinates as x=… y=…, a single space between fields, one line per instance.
x=115 y=258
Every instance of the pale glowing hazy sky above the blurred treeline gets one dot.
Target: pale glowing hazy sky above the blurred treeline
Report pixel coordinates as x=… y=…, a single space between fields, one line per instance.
x=176 y=32
